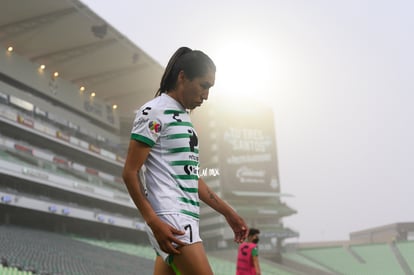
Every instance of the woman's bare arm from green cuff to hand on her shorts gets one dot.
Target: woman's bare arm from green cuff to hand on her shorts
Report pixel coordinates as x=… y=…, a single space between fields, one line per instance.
x=137 y=154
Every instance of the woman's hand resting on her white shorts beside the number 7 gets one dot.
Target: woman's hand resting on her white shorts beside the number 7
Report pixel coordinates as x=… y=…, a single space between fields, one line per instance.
x=165 y=235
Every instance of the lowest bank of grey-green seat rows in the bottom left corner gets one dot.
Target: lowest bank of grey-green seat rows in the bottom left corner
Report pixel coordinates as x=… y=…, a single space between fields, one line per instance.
x=49 y=253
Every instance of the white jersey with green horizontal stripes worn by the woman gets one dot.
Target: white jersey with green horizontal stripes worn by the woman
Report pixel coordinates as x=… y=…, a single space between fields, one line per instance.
x=171 y=174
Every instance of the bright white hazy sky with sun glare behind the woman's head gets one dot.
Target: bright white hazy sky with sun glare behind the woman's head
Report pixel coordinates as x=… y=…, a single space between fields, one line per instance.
x=340 y=76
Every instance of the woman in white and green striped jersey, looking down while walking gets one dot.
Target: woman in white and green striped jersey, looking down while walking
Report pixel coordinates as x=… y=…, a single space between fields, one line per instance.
x=168 y=194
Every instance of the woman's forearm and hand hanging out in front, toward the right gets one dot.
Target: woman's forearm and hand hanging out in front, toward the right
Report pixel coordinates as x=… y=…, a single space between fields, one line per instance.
x=236 y=222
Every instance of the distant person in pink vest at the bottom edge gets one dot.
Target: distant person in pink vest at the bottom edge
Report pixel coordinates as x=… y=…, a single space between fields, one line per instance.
x=248 y=256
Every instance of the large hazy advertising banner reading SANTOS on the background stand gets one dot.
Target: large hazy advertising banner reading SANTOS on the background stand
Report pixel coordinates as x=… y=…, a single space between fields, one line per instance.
x=247 y=151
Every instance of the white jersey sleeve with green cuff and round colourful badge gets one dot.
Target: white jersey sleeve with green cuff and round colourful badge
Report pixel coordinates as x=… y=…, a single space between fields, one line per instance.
x=147 y=126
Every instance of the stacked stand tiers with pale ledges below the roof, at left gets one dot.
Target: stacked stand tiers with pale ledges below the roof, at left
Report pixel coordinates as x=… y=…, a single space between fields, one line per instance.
x=54 y=166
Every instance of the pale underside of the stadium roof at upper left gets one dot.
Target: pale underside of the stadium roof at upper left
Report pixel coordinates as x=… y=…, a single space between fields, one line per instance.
x=67 y=37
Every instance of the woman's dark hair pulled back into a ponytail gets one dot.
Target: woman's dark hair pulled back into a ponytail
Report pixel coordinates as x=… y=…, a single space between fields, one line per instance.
x=194 y=63
